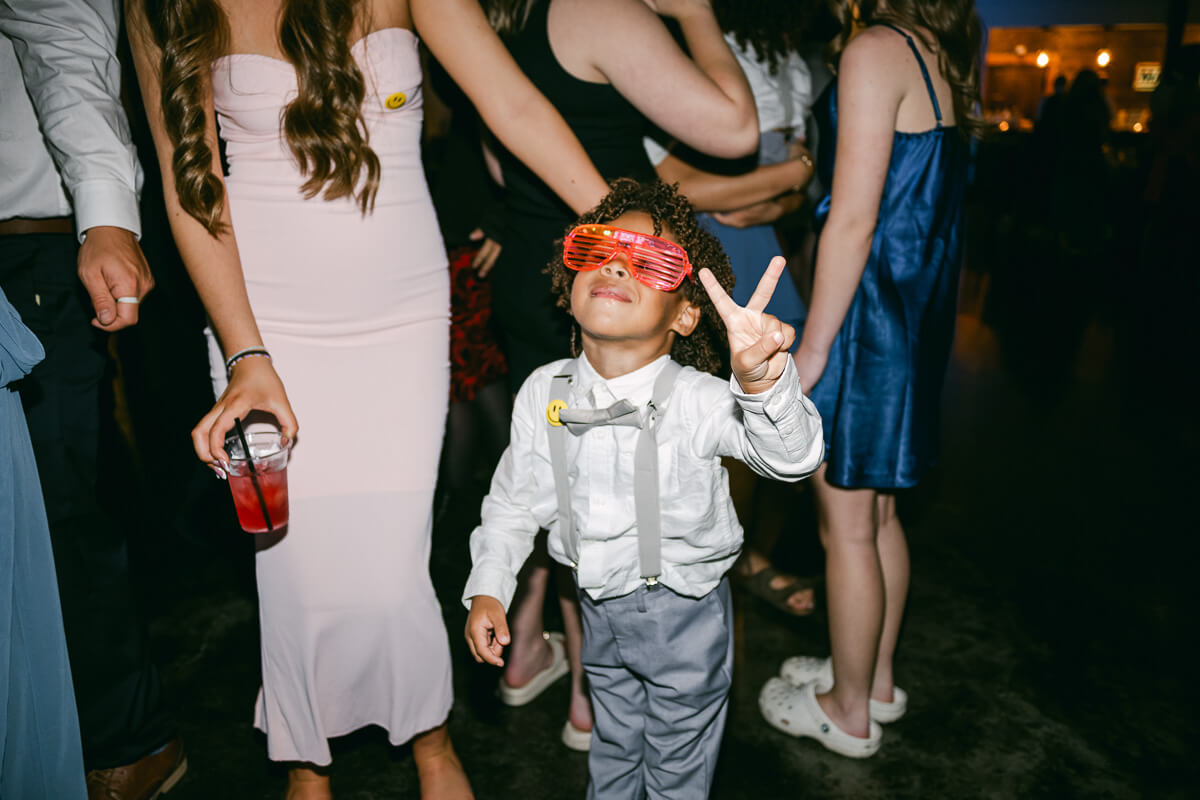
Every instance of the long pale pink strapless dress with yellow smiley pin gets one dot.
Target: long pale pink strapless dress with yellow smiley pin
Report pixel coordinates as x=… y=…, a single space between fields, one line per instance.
x=356 y=312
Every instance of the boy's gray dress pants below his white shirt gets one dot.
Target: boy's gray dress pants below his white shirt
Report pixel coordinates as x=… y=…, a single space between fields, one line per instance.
x=659 y=666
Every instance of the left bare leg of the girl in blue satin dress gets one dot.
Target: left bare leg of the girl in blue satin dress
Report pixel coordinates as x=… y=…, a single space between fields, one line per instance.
x=847 y=520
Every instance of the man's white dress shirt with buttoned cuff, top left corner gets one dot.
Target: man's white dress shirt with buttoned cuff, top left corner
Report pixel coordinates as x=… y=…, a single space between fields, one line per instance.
x=65 y=145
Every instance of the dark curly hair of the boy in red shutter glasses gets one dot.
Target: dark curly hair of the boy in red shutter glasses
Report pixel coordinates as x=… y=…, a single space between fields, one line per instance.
x=706 y=348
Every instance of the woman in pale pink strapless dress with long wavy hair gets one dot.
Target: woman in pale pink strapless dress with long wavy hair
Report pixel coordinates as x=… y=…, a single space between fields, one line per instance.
x=321 y=248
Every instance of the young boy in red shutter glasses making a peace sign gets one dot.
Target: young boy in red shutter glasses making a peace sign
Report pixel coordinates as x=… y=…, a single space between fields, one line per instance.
x=617 y=453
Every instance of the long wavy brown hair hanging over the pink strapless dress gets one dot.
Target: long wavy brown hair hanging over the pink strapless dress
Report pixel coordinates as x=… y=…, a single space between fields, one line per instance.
x=323 y=125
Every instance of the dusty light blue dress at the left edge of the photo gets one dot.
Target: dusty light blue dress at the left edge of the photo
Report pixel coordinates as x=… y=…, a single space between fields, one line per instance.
x=40 y=750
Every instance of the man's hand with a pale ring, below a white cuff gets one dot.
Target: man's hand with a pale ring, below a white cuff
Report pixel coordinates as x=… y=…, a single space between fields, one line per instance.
x=111 y=268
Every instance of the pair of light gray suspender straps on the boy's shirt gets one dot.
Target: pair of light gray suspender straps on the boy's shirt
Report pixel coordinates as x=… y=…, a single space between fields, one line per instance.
x=646 y=473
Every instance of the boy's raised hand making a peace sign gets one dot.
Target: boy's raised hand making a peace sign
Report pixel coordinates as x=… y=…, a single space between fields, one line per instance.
x=759 y=342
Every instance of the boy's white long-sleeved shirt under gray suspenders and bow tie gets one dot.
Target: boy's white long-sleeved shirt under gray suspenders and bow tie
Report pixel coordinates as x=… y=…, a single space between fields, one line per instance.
x=777 y=434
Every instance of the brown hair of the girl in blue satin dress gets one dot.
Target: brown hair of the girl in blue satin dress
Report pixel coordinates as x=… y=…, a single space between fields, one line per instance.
x=949 y=28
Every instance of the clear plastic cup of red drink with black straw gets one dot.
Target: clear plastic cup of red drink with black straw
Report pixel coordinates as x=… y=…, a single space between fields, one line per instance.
x=261 y=497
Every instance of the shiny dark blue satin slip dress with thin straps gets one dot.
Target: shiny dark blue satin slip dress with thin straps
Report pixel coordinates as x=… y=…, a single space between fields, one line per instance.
x=879 y=395
